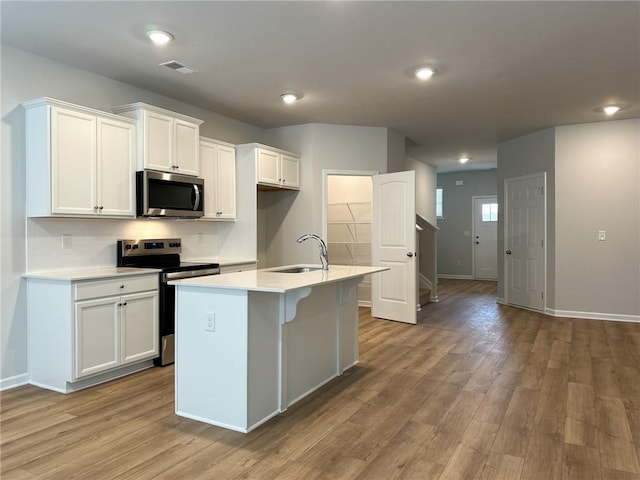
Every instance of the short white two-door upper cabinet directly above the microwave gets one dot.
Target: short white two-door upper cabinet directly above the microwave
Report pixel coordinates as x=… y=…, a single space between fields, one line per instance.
x=167 y=141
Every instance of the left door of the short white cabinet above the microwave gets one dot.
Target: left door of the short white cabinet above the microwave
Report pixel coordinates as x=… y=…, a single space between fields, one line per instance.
x=158 y=144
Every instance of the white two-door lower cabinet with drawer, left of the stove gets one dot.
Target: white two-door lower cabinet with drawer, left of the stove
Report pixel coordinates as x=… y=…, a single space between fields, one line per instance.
x=87 y=332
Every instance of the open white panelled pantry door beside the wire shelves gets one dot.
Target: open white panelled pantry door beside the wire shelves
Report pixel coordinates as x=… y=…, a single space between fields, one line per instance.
x=393 y=245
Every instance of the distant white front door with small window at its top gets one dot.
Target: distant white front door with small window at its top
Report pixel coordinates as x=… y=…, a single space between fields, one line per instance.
x=485 y=238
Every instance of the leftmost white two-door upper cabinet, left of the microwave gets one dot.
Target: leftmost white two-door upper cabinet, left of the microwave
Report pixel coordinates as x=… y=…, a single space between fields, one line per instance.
x=80 y=161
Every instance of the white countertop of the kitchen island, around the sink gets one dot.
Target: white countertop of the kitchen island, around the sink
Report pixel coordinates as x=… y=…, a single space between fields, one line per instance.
x=268 y=280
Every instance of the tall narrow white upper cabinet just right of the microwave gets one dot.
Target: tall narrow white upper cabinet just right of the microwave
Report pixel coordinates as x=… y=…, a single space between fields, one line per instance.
x=218 y=168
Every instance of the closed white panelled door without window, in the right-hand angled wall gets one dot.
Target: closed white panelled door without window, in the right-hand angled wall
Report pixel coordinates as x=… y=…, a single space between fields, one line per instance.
x=524 y=243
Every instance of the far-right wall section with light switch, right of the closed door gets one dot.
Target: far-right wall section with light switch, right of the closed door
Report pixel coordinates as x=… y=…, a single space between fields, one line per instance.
x=597 y=188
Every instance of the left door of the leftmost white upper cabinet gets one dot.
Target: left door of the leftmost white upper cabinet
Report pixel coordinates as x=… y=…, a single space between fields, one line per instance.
x=73 y=153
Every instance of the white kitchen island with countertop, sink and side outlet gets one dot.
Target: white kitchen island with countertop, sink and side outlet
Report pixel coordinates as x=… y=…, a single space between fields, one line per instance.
x=250 y=344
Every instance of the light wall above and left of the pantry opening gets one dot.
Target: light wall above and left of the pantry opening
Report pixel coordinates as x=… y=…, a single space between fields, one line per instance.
x=323 y=147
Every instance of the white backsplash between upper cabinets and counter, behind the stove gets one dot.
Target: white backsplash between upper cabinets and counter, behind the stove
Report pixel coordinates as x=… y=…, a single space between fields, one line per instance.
x=61 y=244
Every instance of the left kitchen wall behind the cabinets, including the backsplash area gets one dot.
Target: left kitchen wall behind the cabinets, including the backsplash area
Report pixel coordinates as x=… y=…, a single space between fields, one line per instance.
x=26 y=76
